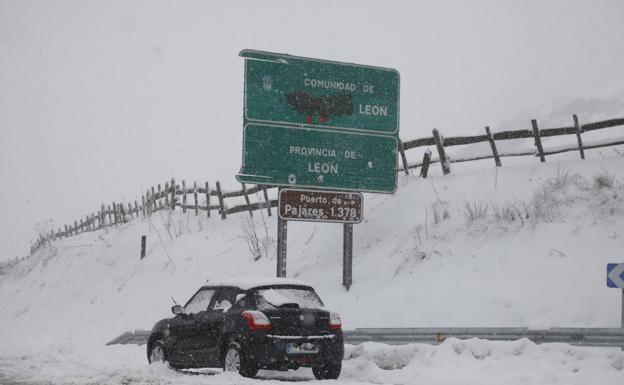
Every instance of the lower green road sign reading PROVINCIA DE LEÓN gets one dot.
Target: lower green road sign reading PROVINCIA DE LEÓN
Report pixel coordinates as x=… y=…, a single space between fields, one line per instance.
x=308 y=157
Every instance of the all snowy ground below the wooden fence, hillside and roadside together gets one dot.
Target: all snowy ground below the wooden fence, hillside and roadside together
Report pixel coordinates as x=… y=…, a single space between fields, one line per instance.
x=522 y=245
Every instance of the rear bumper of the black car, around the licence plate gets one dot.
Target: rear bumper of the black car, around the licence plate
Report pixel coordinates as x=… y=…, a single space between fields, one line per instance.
x=269 y=351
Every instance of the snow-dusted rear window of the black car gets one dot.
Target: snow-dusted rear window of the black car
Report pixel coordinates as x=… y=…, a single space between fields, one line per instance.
x=301 y=297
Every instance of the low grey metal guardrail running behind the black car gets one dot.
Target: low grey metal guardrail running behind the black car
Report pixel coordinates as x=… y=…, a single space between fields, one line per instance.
x=607 y=337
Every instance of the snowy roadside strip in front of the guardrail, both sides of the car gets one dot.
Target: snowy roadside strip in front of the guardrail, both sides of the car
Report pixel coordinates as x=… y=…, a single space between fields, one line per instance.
x=455 y=361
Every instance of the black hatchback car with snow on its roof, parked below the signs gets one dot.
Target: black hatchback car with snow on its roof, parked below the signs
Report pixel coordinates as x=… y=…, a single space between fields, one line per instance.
x=251 y=324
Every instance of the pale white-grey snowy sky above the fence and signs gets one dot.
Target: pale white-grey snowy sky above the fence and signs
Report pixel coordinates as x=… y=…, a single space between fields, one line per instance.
x=101 y=99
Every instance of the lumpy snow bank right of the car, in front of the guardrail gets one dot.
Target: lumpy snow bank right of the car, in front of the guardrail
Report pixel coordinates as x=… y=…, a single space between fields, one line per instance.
x=483 y=362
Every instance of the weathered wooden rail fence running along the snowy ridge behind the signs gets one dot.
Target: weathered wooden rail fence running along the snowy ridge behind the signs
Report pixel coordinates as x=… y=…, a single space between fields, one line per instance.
x=175 y=195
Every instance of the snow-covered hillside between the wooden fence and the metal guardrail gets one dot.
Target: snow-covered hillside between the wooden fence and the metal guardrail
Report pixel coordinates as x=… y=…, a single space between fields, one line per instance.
x=533 y=254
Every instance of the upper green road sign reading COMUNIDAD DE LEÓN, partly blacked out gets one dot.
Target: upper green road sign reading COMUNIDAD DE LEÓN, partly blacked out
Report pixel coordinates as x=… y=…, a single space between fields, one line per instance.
x=291 y=90
